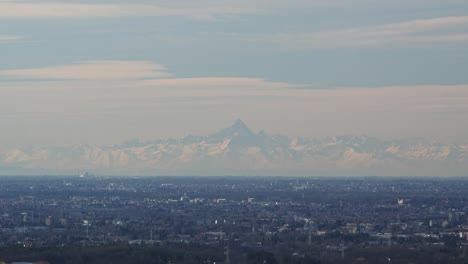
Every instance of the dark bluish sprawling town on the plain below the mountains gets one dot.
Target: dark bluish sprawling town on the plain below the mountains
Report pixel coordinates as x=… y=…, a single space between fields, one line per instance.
x=89 y=219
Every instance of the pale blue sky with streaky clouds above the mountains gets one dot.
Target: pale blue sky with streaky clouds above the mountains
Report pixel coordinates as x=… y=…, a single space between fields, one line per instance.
x=102 y=72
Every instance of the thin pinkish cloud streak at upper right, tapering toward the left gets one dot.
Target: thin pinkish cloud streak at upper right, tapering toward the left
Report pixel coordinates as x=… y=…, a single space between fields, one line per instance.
x=444 y=29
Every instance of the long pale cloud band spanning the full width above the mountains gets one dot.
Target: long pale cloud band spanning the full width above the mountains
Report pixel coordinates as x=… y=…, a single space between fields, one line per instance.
x=154 y=81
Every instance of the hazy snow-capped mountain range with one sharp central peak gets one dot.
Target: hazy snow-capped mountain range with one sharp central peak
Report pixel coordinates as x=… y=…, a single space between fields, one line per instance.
x=237 y=150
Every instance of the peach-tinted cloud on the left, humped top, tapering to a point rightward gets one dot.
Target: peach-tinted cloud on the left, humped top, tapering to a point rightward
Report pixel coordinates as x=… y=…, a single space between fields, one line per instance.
x=143 y=74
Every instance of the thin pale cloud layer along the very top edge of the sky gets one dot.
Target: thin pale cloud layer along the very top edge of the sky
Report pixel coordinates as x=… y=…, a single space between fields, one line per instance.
x=200 y=9
